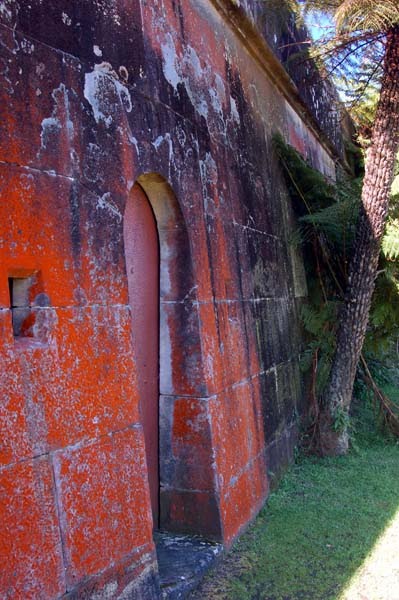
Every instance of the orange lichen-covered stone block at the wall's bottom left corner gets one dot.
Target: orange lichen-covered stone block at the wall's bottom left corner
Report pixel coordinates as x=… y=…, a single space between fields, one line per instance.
x=29 y=530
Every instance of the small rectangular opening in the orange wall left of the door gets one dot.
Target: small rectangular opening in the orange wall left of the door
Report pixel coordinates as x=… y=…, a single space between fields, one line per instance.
x=21 y=313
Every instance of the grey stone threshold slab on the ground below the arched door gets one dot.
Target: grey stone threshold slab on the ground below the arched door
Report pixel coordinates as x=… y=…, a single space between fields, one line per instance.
x=183 y=561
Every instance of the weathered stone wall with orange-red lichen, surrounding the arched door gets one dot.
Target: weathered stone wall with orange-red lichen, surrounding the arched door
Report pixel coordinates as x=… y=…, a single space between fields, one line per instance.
x=97 y=98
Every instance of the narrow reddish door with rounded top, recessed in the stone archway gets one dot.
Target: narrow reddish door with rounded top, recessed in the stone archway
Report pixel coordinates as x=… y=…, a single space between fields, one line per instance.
x=142 y=266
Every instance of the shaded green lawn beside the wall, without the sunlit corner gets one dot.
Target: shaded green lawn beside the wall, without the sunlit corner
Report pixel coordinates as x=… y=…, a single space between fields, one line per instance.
x=316 y=529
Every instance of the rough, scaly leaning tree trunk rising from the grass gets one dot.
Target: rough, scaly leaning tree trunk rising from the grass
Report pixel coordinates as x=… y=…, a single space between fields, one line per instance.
x=377 y=183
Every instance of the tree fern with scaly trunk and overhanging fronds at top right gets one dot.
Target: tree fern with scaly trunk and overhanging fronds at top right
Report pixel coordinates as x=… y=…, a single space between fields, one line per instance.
x=364 y=49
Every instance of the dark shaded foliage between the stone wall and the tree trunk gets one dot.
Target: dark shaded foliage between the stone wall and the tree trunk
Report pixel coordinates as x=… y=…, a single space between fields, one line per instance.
x=327 y=215
